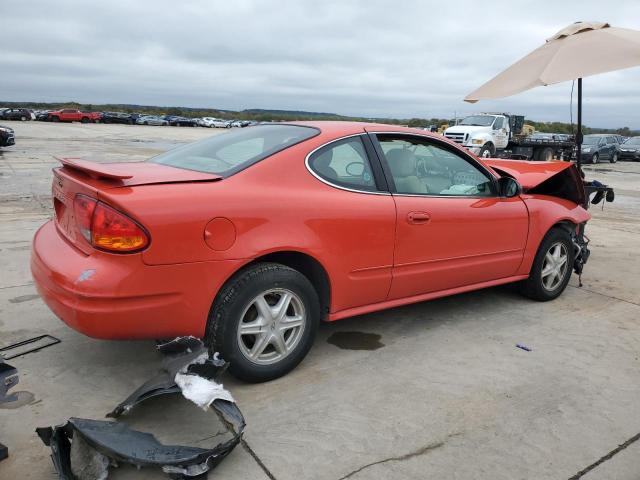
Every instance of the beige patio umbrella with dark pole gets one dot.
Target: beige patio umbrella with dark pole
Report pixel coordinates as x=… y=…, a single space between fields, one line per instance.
x=577 y=51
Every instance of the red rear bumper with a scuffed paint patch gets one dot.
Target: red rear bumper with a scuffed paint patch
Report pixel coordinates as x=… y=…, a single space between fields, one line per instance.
x=118 y=296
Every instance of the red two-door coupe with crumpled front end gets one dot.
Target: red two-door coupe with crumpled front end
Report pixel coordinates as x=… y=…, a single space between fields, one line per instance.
x=250 y=238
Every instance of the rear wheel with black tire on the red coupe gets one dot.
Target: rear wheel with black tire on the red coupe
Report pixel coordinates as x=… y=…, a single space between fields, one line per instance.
x=264 y=321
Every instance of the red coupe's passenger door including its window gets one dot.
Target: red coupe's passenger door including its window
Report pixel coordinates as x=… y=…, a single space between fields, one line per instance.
x=452 y=229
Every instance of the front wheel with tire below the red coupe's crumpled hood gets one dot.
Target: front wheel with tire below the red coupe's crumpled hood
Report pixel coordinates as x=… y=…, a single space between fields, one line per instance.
x=551 y=269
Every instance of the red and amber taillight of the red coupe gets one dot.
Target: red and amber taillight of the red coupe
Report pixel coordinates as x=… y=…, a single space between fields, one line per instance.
x=106 y=228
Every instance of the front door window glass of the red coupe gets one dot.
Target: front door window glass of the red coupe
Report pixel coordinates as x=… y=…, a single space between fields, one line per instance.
x=420 y=167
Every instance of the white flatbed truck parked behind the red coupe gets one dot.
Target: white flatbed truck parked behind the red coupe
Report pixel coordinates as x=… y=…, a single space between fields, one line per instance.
x=500 y=135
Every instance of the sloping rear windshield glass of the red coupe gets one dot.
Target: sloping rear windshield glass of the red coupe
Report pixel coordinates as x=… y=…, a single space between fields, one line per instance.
x=231 y=152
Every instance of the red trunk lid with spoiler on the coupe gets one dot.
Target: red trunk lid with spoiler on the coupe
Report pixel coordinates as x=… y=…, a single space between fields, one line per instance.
x=131 y=174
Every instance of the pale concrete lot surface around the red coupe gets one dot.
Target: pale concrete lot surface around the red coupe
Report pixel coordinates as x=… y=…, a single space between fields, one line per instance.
x=442 y=393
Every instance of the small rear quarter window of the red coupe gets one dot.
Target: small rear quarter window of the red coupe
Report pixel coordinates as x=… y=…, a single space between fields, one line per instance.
x=344 y=163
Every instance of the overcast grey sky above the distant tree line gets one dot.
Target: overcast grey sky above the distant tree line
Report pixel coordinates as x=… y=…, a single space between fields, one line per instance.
x=377 y=58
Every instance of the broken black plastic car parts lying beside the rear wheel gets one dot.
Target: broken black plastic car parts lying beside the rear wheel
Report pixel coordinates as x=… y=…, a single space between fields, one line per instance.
x=86 y=449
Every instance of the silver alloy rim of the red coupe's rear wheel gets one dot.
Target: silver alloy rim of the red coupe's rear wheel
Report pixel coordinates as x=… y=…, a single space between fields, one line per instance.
x=271 y=326
